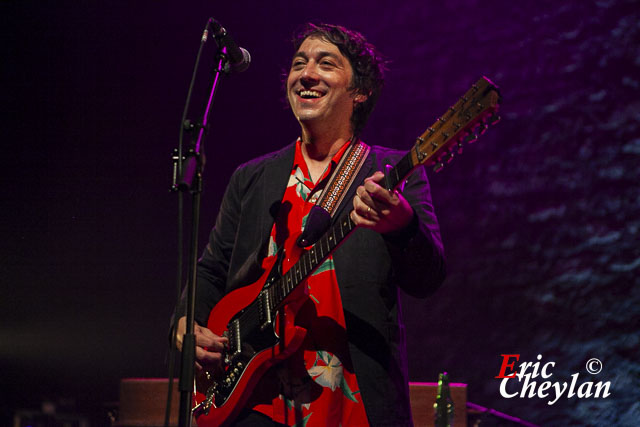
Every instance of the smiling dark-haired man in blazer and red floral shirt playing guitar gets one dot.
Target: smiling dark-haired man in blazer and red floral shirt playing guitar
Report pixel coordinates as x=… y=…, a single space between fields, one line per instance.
x=347 y=366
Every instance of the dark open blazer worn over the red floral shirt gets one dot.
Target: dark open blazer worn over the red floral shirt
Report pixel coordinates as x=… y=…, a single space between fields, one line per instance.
x=370 y=269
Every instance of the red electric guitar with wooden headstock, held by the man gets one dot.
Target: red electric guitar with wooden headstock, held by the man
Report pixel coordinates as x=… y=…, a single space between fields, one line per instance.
x=259 y=319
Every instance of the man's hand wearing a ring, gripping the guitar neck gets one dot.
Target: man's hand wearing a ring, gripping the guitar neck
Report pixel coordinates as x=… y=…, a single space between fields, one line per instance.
x=379 y=209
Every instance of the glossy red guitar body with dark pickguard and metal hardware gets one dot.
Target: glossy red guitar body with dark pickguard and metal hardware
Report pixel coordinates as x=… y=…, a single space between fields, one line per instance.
x=256 y=343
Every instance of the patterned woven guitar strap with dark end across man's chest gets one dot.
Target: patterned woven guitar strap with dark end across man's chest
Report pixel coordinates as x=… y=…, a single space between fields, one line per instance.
x=332 y=196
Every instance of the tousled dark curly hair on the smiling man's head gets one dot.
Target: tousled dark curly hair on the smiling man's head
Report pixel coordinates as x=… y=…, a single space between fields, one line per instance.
x=367 y=63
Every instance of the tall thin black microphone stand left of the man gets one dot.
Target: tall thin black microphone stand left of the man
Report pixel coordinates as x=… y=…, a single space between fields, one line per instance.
x=189 y=175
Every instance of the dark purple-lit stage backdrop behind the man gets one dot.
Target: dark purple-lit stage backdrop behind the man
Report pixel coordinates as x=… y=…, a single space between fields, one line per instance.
x=540 y=218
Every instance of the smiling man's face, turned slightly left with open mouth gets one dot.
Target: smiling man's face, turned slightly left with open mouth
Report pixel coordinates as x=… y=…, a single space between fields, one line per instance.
x=318 y=85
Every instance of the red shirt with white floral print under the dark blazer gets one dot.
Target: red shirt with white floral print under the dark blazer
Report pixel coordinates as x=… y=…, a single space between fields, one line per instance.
x=318 y=386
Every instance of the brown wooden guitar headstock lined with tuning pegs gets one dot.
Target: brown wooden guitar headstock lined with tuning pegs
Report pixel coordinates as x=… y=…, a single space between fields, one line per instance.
x=462 y=123
